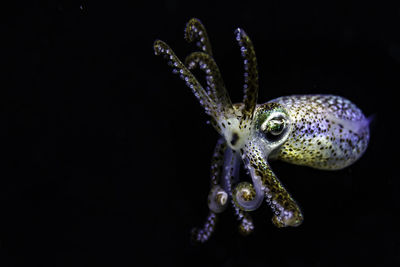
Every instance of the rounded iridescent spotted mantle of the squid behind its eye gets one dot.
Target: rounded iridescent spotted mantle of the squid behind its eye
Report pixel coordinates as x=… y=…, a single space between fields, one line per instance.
x=329 y=132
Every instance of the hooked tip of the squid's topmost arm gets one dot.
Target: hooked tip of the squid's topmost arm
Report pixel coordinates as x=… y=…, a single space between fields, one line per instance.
x=195 y=31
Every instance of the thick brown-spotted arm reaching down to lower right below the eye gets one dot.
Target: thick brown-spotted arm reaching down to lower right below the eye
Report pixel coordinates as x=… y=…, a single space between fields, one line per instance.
x=286 y=211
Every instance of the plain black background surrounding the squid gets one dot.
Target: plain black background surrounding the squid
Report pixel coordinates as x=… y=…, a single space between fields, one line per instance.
x=106 y=153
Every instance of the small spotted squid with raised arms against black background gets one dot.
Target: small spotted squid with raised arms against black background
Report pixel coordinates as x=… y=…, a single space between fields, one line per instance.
x=321 y=131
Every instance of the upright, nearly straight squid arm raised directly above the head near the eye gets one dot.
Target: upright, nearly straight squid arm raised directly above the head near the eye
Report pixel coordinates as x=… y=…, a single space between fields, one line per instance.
x=250 y=72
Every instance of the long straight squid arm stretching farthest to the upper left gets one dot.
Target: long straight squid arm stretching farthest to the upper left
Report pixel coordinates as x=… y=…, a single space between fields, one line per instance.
x=161 y=48
